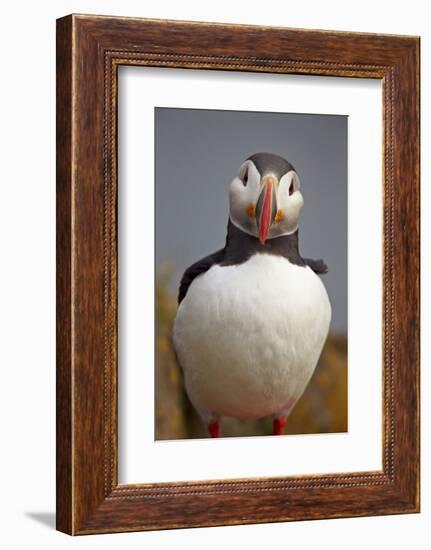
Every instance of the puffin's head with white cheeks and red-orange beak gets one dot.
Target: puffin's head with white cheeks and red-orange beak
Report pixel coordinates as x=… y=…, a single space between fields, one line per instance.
x=265 y=200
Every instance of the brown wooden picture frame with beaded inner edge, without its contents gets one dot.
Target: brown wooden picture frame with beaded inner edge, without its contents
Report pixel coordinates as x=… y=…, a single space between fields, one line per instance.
x=89 y=51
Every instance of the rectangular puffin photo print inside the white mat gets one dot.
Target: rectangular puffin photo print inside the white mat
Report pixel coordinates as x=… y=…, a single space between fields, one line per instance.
x=251 y=273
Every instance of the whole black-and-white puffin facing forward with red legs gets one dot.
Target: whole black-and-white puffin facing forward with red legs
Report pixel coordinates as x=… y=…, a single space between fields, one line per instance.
x=253 y=317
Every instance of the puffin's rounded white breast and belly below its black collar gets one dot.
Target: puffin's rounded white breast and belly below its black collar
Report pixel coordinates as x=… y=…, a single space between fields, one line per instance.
x=248 y=337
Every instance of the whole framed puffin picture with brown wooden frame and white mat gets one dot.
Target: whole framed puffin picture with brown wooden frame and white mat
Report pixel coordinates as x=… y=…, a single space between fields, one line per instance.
x=237 y=274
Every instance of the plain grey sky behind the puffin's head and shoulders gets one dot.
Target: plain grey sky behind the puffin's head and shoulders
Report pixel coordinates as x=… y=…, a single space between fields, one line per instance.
x=198 y=153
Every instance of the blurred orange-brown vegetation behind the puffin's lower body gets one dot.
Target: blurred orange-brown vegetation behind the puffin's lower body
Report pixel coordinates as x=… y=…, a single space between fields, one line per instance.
x=322 y=408
